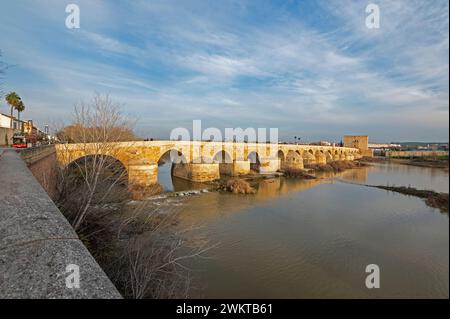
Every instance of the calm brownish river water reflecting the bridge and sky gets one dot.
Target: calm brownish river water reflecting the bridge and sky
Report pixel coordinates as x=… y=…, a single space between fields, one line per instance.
x=314 y=238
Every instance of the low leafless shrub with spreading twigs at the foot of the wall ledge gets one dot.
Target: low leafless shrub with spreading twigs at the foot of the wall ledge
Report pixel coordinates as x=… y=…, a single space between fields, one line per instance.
x=151 y=262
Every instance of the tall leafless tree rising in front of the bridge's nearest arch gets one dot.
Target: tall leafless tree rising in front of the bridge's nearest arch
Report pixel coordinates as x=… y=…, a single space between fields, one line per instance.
x=96 y=129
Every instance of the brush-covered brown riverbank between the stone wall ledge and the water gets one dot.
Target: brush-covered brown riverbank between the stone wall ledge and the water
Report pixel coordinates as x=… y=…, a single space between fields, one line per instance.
x=139 y=245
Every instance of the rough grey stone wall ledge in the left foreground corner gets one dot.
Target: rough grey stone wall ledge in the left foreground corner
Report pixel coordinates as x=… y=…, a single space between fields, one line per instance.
x=37 y=243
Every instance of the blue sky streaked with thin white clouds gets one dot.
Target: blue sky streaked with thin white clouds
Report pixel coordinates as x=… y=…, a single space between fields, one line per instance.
x=309 y=68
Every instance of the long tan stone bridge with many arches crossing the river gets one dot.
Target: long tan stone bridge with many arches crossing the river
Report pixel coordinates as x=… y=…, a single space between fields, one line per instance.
x=200 y=161
